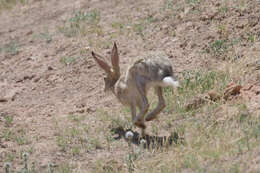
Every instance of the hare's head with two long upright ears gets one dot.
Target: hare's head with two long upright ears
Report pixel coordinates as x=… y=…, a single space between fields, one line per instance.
x=113 y=73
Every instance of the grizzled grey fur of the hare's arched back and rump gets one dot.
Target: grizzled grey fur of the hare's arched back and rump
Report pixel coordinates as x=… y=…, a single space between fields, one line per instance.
x=154 y=66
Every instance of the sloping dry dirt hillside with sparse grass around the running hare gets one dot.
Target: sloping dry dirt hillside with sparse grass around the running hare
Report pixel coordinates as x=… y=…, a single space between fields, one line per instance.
x=55 y=116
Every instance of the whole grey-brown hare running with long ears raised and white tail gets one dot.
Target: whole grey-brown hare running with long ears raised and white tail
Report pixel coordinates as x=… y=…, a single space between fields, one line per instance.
x=131 y=89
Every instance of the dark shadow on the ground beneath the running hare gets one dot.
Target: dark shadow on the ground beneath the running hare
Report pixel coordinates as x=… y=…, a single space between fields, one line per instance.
x=150 y=141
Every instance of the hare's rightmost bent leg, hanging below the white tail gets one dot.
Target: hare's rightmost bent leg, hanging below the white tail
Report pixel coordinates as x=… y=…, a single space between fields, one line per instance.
x=161 y=104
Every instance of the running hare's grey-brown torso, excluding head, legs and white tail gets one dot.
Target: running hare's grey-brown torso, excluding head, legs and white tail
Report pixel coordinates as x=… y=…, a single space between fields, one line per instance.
x=149 y=71
